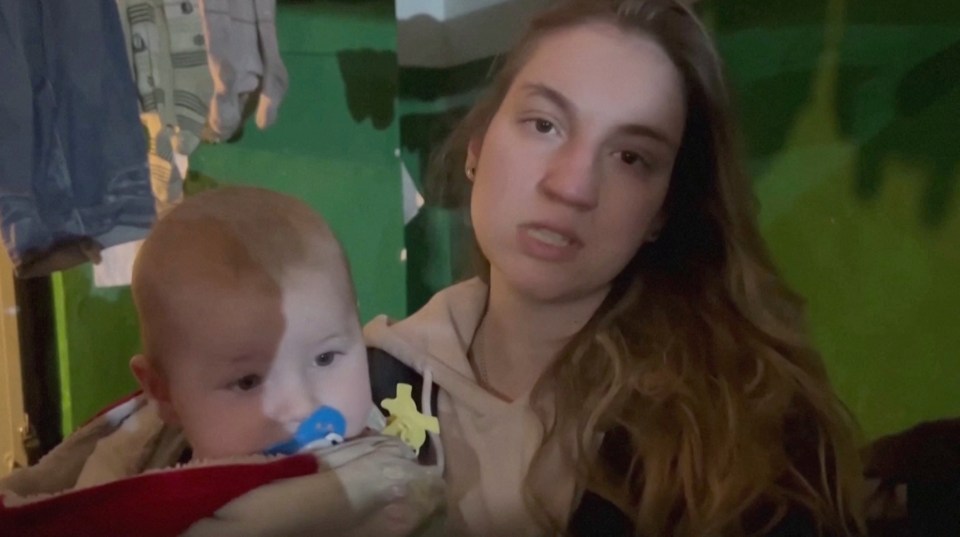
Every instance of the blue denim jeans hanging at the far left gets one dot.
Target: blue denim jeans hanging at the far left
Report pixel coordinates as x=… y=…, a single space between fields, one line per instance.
x=73 y=156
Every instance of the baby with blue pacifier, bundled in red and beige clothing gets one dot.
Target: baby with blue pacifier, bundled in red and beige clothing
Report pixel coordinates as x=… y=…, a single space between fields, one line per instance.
x=251 y=344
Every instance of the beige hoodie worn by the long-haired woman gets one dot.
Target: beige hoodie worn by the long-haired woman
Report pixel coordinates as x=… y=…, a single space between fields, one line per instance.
x=488 y=443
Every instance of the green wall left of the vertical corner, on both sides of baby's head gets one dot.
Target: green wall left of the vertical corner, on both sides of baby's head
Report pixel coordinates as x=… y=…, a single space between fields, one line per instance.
x=333 y=146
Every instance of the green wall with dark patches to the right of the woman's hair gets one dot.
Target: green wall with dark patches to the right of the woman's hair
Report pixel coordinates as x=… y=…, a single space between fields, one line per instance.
x=850 y=111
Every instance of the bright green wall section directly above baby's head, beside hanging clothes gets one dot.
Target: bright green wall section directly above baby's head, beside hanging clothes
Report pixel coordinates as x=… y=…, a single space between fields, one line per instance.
x=335 y=144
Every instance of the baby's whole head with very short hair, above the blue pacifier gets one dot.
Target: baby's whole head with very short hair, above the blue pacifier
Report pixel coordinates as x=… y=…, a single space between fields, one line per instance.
x=248 y=321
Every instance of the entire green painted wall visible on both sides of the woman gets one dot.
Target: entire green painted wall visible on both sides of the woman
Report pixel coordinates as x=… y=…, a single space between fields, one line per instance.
x=849 y=111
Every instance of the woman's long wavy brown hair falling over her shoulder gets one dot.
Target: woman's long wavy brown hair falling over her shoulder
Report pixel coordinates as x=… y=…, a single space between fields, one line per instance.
x=698 y=363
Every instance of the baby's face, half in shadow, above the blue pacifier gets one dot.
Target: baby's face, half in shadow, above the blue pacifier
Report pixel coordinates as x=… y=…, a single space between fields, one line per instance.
x=252 y=367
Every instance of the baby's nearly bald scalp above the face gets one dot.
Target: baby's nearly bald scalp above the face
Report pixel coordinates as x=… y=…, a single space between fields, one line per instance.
x=223 y=242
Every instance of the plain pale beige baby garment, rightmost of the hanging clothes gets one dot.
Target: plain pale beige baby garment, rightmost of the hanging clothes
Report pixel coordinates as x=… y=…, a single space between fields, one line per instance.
x=245 y=63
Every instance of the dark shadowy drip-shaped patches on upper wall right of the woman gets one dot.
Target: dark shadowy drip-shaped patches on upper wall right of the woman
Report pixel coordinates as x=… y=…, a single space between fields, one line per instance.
x=897 y=91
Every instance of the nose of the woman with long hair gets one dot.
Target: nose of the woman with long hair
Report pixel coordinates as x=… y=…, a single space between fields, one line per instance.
x=572 y=176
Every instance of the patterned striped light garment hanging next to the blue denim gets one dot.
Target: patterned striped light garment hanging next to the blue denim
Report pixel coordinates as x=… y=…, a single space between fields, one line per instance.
x=168 y=58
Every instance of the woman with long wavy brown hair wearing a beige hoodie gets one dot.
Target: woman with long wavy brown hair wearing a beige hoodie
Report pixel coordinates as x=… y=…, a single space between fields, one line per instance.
x=629 y=342
